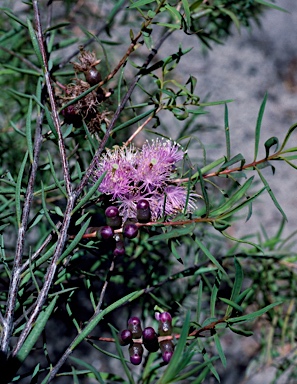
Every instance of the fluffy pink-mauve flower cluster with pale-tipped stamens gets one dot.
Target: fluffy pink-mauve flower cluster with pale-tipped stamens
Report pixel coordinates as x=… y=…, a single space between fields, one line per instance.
x=133 y=174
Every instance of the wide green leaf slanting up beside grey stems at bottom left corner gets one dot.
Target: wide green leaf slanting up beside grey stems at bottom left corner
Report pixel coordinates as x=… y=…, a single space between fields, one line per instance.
x=36 y=331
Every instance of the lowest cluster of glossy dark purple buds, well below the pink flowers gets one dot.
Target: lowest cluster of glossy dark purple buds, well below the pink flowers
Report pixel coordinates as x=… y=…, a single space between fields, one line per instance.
x=136 y=338
